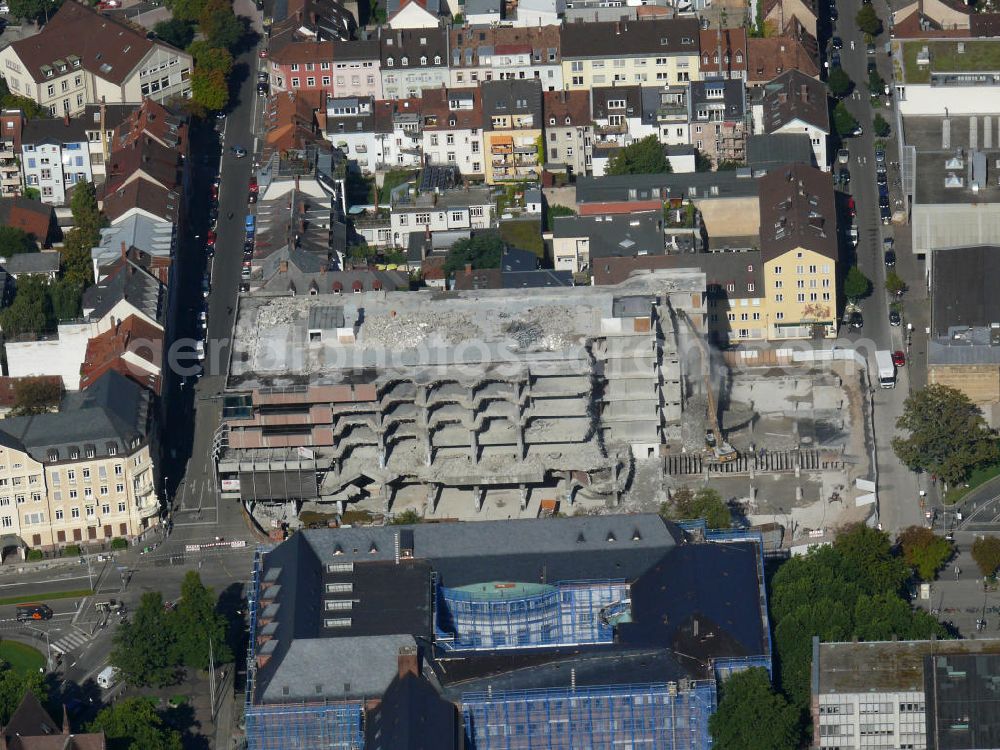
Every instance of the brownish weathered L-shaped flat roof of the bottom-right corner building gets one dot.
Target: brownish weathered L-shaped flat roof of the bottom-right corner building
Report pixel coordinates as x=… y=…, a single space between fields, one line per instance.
x=886 y=665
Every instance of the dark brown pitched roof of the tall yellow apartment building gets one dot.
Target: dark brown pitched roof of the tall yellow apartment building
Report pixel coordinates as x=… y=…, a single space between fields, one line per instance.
x=797 y=210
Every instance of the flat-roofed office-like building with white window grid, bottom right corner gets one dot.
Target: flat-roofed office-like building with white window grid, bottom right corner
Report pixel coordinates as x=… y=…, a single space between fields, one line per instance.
x=917 y=694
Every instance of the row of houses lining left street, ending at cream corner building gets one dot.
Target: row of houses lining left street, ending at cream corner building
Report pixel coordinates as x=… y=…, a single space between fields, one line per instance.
x=87 y=473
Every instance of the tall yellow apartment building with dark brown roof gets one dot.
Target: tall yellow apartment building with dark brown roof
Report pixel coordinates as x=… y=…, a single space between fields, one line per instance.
x=799 y=250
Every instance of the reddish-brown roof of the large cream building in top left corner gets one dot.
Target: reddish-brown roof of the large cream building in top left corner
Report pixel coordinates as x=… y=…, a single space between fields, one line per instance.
x=107 y=48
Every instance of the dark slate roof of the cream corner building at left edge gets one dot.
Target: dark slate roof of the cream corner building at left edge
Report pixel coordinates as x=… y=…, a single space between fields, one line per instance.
x=114 y=411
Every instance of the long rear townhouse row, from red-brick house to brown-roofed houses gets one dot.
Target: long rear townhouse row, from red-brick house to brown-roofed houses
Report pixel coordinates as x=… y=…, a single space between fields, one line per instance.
x=404 y=62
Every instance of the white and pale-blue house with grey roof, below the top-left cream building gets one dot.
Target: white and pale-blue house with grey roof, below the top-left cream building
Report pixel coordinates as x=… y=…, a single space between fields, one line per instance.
x=55 y=155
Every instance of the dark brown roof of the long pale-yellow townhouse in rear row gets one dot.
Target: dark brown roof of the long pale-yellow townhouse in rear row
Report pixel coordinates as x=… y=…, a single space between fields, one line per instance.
x=610 y=39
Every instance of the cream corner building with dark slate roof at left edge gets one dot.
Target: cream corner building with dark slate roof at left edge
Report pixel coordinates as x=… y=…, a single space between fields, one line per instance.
x=86 y=472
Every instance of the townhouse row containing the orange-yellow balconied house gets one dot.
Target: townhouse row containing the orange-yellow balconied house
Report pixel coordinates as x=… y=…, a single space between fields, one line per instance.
x=509 y=129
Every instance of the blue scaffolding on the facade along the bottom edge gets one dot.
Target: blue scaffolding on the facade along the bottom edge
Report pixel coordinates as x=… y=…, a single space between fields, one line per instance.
x=664 y=716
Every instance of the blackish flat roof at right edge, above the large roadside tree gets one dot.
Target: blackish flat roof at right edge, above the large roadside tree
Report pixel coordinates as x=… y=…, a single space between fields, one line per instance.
x=964 y=287
